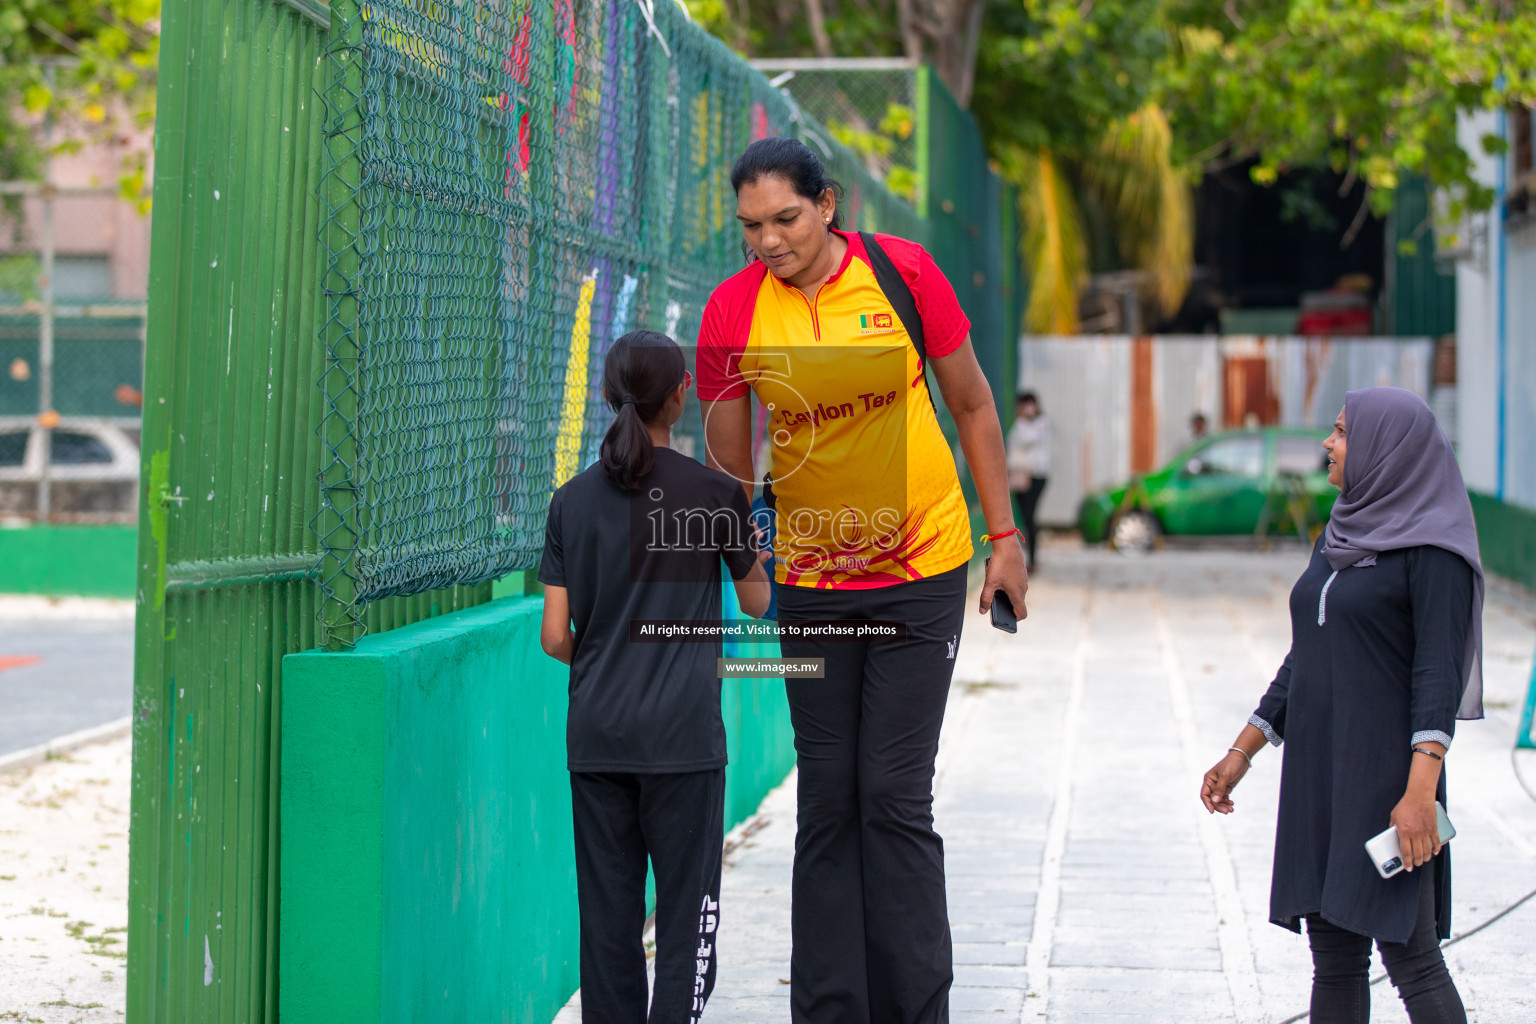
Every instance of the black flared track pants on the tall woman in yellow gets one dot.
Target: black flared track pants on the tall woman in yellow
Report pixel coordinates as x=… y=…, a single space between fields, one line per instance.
x=870 y=920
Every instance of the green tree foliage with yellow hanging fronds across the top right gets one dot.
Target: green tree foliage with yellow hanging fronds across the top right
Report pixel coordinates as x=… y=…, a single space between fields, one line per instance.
x=1105 y=113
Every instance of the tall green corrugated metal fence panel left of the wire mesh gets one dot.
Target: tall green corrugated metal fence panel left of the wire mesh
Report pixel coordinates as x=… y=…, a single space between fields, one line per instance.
x=227 y=560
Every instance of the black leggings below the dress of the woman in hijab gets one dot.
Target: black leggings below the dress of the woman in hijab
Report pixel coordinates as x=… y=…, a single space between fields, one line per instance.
x=1342 y=968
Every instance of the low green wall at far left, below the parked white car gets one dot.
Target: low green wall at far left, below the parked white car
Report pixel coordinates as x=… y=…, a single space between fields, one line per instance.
x=68 y=561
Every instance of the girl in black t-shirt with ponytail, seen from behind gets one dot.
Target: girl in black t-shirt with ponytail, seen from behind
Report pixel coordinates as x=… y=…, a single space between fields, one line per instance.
x=640 y=537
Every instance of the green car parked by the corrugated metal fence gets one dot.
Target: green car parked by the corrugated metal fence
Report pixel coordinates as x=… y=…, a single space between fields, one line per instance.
x=1260 y=483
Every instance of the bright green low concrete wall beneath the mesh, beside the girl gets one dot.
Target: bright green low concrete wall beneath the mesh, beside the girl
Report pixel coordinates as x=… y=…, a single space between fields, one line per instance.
x=426 y=845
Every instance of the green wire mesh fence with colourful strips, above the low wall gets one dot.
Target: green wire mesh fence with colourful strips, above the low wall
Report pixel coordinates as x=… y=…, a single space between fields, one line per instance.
x=509 y=188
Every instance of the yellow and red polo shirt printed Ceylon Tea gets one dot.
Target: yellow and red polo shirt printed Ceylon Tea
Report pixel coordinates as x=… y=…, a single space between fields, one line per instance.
x=866 y=483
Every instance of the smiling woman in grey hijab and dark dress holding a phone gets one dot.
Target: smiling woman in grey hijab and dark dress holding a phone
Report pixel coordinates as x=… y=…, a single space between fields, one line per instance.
x=1385 y=659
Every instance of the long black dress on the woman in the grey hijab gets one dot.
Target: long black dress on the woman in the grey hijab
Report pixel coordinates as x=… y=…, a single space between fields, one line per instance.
x=1375 y=661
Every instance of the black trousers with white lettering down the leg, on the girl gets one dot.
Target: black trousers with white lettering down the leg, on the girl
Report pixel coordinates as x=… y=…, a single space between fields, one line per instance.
x=675 y=821
